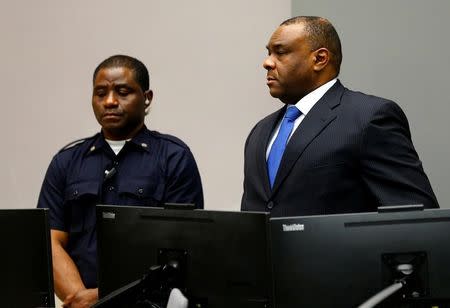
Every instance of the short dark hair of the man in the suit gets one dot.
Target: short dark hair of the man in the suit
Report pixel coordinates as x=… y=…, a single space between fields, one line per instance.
x=321 y=34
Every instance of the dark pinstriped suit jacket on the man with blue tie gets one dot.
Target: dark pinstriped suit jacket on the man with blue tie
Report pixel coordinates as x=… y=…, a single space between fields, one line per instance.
x=351 y=153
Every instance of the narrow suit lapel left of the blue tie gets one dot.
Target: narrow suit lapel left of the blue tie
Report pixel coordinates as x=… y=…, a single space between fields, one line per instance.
x=268 y=125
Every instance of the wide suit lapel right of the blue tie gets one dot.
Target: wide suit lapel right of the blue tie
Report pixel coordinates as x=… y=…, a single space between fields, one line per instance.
x=312 y=125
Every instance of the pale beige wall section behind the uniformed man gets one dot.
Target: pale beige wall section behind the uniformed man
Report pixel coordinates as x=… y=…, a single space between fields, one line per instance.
x=204 y=59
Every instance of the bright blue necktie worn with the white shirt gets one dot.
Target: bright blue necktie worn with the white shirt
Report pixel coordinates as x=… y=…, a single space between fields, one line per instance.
x=278 y=146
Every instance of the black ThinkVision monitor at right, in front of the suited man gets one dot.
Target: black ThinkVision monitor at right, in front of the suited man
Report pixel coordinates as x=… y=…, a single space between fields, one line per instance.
x=343 y=260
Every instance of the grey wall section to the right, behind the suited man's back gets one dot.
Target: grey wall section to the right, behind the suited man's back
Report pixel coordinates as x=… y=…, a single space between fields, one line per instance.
x=399 y=50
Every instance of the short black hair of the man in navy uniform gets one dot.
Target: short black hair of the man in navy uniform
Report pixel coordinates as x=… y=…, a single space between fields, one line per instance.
x=141 y=74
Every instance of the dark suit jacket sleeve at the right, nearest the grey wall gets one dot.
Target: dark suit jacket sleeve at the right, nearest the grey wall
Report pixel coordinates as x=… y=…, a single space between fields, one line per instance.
x=390 y=165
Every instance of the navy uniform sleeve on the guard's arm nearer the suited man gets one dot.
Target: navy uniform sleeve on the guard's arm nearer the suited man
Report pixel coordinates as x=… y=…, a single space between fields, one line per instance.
x=183 y=183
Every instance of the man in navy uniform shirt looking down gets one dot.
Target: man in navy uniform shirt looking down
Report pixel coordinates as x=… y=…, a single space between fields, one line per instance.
x=124 y=164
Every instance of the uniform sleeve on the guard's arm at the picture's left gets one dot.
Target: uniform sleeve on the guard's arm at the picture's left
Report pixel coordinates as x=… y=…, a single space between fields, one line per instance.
x=52 y=195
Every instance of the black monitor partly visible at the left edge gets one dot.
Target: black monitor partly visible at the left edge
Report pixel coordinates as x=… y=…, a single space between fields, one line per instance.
x=26 y=278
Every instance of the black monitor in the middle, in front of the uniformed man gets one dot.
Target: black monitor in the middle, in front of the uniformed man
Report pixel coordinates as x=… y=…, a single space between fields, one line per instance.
x=223 y=256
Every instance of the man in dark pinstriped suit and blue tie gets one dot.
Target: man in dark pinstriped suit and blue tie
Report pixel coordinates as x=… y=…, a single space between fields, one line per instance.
x=329 y=149
